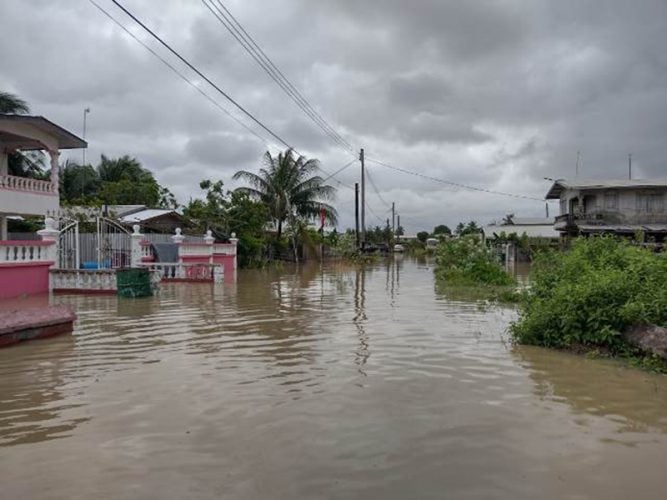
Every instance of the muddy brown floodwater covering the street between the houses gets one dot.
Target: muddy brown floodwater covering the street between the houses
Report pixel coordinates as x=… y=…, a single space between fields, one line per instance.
x=329 y=382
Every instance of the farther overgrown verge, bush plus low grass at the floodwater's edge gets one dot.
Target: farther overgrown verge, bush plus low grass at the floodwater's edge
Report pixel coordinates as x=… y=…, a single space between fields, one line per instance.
x=466 y=265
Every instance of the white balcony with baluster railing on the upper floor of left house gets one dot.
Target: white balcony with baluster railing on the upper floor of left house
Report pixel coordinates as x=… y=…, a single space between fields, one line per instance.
x=26 y=196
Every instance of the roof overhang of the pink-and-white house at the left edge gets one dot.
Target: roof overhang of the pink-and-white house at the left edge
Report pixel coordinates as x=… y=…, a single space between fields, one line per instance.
x=23 y=132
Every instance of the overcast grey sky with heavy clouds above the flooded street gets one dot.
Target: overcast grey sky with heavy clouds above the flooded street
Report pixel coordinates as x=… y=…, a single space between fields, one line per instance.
x=493 y=94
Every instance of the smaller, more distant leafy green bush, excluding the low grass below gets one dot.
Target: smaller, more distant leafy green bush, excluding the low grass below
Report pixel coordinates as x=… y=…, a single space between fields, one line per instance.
x=467 y=261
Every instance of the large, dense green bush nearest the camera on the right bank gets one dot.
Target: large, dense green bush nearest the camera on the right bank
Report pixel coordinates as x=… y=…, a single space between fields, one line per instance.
x=589 y=295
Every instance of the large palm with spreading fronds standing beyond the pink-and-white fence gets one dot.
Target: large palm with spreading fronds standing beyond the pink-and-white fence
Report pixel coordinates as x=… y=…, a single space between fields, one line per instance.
x=288 y=188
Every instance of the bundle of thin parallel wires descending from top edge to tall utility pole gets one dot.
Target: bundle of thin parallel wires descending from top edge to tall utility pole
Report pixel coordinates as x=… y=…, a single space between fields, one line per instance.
x=234 y=27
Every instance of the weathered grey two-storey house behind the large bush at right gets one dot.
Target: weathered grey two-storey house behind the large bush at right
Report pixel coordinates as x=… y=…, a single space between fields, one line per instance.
x=612 y=206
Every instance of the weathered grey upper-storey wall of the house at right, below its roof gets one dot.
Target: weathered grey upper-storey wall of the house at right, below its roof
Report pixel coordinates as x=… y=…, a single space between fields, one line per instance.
x=618 y=206
